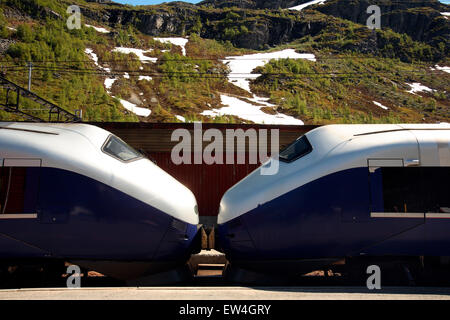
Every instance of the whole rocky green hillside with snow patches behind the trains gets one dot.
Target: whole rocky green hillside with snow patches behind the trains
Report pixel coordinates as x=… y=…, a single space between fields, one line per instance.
x=233 y=61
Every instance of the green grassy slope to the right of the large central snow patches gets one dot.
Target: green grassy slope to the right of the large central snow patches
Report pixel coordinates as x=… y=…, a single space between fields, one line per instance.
x=341 y=90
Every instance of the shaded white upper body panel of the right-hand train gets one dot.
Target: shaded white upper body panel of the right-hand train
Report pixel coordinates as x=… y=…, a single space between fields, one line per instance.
x=337 y=148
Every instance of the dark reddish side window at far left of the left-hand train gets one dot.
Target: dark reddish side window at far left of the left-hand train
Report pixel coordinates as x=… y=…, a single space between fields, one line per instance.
x=19 y=184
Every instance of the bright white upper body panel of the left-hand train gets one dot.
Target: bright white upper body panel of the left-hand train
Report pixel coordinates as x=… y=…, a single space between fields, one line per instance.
x=77 y=148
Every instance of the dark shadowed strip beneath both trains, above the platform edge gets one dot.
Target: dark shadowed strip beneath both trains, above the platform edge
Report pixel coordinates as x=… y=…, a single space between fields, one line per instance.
x=317 y=283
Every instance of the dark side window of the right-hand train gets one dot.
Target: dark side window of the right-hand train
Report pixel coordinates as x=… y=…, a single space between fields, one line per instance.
x=410 y=189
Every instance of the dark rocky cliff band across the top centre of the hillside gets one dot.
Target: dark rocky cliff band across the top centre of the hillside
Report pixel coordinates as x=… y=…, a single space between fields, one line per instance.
x=249 y=29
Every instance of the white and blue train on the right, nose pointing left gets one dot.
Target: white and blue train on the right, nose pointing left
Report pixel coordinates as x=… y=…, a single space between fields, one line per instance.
x=343 y=191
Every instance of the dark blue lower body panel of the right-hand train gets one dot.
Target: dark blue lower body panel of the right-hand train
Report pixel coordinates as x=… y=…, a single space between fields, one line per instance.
x=330 y=218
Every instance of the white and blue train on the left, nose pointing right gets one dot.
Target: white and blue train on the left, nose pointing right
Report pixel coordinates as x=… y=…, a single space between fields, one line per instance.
x=77 y=193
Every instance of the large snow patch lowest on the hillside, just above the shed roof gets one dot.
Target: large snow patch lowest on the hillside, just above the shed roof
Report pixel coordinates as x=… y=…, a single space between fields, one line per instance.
x=244 y=110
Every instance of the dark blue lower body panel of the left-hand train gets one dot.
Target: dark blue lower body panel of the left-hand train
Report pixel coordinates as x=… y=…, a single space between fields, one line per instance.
x=81 y=218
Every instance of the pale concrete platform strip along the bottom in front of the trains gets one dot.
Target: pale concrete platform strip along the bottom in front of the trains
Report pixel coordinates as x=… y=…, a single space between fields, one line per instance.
x=228 y=293
